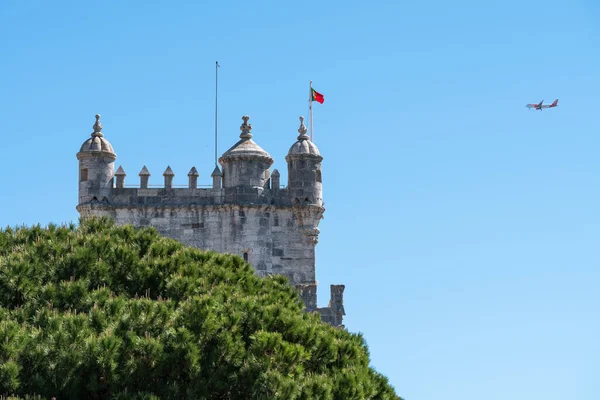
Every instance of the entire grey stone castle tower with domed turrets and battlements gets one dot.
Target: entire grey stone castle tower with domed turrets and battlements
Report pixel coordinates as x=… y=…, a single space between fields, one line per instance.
x=245 y=212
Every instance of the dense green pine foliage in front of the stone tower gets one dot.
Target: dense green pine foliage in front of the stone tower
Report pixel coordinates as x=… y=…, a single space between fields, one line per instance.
x=99 y=311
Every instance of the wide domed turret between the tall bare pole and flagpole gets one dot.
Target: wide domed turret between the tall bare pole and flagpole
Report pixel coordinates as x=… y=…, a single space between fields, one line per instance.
x=246 y=163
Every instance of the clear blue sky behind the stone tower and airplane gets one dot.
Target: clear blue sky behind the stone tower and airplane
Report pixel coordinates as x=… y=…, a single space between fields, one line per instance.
x=465 y=227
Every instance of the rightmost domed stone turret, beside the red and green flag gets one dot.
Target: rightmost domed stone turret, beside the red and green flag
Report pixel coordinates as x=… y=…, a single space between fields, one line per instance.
x=304 y=170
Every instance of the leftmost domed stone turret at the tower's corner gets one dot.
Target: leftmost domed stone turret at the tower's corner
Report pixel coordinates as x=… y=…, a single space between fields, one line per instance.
x=96 y=166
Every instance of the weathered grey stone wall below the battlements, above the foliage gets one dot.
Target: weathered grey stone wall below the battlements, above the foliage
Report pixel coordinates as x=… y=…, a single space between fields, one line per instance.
x=267 y=236
